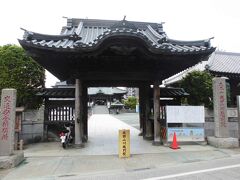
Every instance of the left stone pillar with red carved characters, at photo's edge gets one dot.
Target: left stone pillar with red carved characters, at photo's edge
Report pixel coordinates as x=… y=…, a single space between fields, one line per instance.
x=7 y=121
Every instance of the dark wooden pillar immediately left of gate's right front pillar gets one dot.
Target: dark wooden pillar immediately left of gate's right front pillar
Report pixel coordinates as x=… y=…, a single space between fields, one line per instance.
x=148 y=123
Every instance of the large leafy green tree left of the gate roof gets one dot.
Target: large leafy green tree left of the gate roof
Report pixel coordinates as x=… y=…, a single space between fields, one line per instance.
x=19 y=71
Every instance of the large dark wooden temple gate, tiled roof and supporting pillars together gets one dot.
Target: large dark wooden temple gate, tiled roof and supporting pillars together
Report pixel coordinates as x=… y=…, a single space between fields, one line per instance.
x=110 y=53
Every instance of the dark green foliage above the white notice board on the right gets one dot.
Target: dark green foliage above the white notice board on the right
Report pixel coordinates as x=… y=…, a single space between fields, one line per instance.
x=199 y=85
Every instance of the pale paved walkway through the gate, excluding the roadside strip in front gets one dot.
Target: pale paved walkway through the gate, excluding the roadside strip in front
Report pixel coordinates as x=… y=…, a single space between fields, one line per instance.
x=103 y=140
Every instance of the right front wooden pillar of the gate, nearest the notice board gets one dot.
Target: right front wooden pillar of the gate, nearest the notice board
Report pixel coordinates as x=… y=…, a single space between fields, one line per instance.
x=156 y=104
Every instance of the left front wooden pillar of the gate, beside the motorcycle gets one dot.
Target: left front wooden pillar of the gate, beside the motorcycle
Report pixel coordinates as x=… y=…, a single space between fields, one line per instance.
x=78 y=112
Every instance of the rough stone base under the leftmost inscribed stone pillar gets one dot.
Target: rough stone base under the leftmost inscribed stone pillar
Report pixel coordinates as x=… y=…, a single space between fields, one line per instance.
x=7 y=162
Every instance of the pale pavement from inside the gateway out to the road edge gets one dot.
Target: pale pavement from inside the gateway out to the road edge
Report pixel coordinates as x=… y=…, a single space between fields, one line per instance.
x=99 y=156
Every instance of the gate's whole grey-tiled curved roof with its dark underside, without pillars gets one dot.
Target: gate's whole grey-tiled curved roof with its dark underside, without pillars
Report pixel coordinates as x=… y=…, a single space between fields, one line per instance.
x=83 y=40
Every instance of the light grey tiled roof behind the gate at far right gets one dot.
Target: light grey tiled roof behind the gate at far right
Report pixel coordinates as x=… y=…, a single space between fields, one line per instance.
x=219 y=63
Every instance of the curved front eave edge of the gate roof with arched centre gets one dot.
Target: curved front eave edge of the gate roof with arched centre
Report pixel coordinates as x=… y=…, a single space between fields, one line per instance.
x=79 y=47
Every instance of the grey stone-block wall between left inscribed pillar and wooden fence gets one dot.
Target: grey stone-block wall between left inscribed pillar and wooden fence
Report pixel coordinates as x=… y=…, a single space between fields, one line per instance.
x=32 y=126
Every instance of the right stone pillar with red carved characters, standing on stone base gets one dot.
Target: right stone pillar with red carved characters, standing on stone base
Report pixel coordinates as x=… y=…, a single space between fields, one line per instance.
x=220 y=108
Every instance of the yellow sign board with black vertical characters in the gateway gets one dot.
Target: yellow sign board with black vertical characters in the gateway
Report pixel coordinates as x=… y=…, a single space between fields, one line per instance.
x=124 y=143
